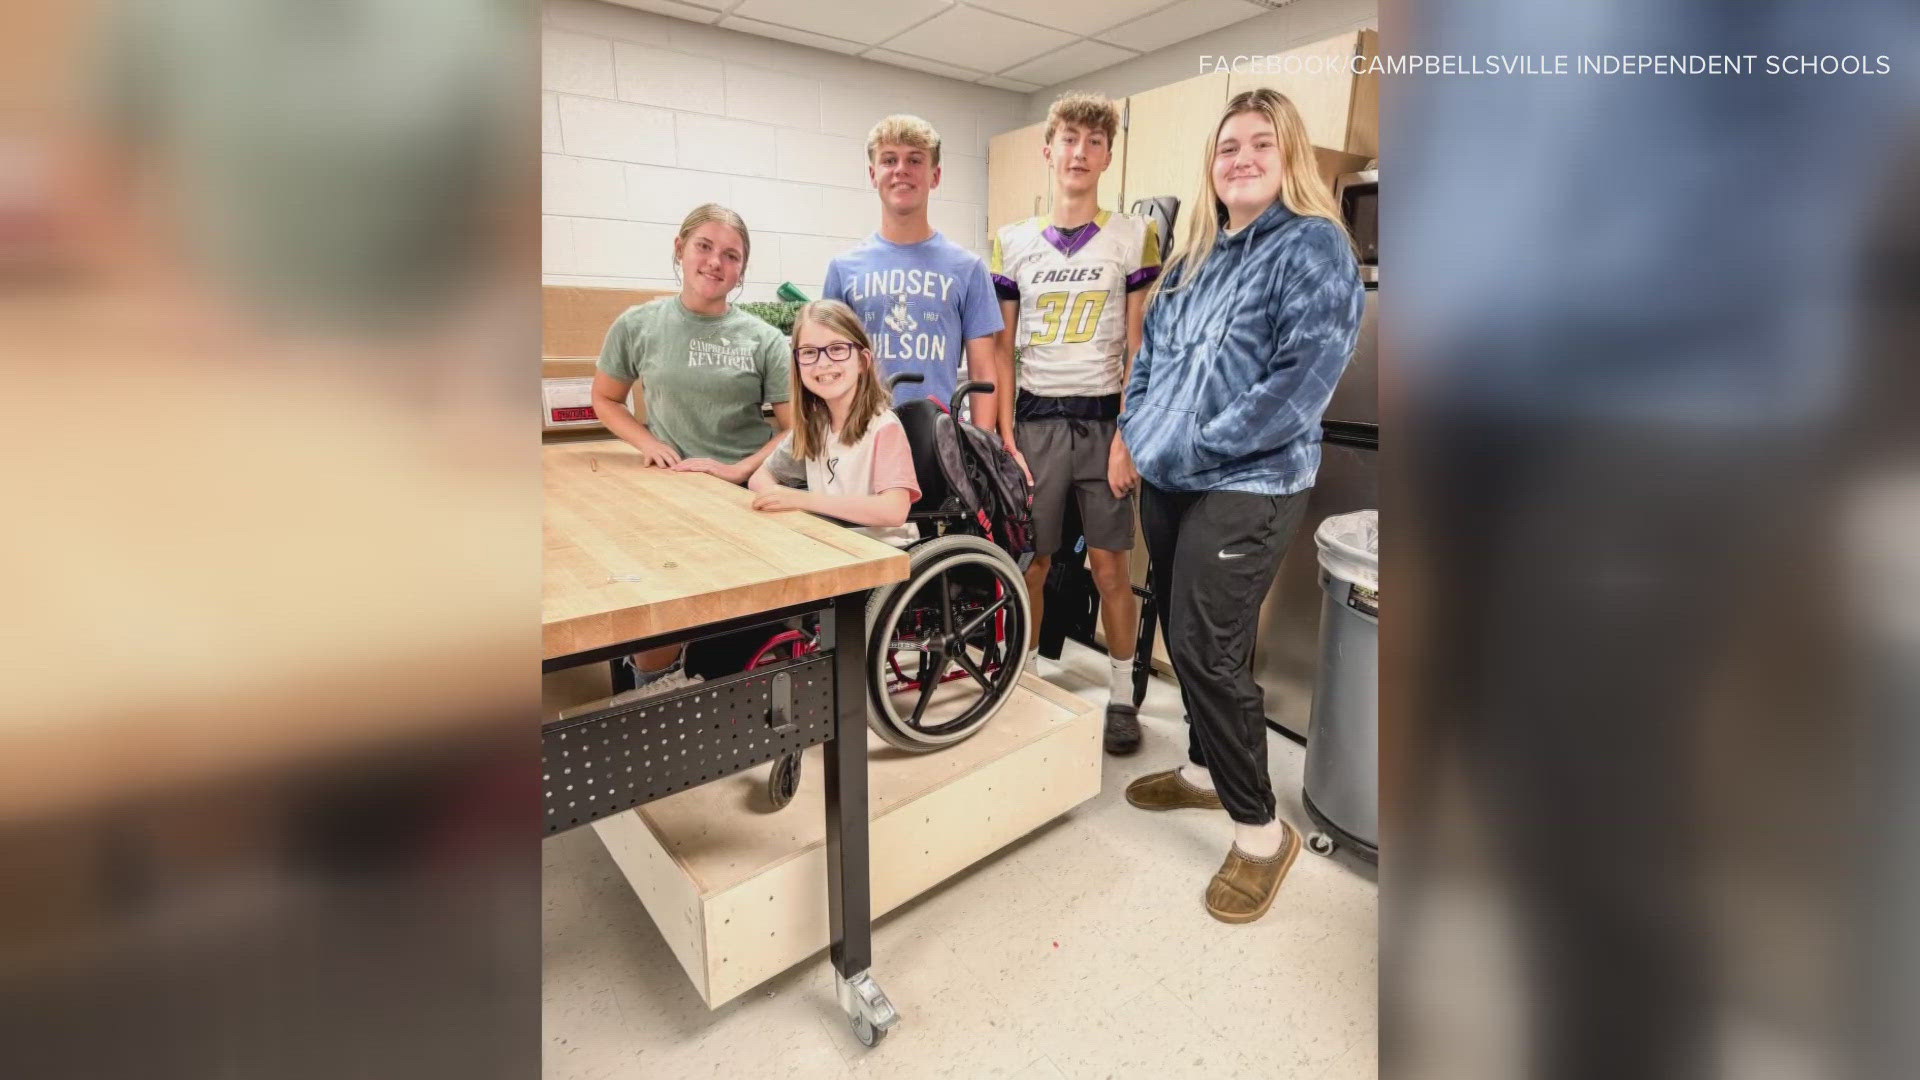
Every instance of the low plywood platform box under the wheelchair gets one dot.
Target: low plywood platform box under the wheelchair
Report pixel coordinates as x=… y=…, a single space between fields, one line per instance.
x=742 y=895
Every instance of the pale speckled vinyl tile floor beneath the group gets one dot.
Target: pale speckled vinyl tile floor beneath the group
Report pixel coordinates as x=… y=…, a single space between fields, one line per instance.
x=1078 y=952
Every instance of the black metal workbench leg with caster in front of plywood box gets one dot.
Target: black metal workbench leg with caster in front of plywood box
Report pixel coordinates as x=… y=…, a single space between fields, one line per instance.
x=850 y=887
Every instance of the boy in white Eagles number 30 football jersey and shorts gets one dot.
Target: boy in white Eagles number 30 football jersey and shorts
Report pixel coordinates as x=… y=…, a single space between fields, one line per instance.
x=1074 y=293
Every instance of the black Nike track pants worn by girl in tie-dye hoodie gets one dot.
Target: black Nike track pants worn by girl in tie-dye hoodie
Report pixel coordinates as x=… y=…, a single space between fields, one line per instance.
x=1214 y=558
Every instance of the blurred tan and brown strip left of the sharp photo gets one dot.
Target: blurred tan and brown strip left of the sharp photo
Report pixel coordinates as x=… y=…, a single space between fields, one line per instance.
x=268 y=760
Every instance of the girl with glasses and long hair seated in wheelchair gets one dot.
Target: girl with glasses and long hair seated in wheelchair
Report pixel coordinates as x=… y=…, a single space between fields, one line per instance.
x=848 y=454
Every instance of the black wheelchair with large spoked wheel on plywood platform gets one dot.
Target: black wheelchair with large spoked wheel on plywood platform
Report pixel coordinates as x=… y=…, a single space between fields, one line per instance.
x=946 y=647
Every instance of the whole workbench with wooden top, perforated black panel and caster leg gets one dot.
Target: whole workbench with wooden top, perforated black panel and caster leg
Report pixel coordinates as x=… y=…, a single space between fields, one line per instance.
x=640 y=558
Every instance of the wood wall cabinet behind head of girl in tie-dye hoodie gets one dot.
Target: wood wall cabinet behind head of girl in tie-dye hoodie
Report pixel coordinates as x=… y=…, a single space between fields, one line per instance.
x=1341 y=110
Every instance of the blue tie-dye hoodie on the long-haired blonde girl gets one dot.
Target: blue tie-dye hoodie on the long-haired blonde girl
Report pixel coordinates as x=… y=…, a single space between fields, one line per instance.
x=1237 y=366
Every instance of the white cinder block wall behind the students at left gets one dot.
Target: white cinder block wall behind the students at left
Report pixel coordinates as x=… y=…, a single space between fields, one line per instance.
x=648 y=116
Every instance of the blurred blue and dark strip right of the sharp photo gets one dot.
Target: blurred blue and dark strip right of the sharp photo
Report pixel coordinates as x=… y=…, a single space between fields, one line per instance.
x=1648 y=745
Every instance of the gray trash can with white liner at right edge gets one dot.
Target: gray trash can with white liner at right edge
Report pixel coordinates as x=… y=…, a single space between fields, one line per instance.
x=1343 y=777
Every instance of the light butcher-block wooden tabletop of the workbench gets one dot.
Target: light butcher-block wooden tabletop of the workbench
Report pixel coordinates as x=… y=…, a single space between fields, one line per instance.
x=633 y=552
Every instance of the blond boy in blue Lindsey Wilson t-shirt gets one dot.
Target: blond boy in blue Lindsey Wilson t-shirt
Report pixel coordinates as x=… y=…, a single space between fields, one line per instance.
x=924 y=301
